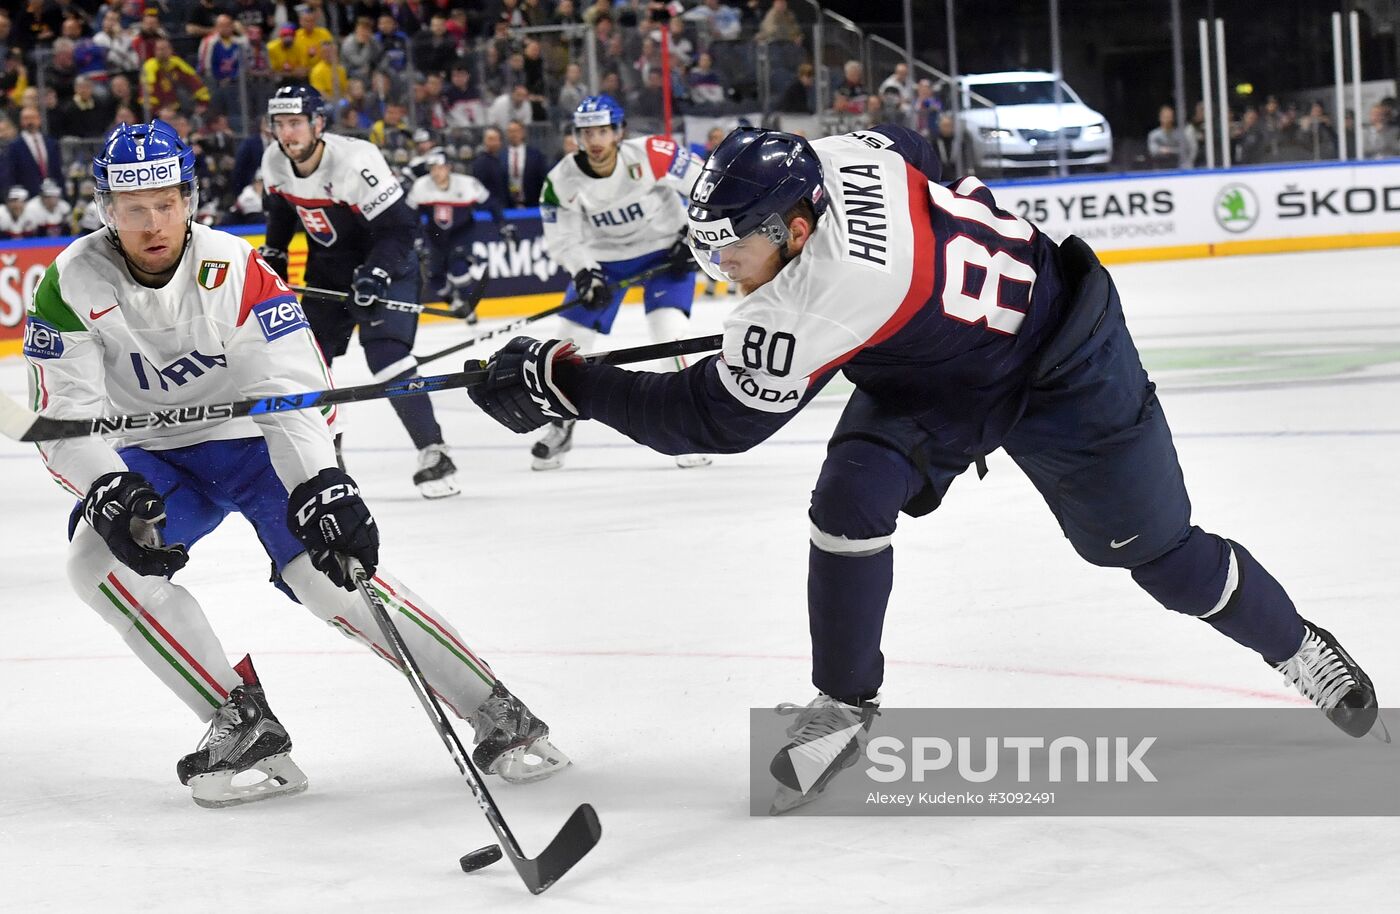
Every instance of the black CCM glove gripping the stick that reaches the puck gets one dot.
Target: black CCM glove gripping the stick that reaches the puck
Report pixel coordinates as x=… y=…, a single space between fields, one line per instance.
x=330 y=517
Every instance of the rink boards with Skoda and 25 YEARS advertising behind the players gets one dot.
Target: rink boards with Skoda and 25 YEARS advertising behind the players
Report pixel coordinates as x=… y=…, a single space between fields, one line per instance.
x=1158 y=216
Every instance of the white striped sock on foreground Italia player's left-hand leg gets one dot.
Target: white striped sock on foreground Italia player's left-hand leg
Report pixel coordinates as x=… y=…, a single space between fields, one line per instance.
x=162 y=622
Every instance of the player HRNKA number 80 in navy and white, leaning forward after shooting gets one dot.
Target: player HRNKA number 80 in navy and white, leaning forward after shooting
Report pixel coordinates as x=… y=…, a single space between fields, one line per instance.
x=964 y=330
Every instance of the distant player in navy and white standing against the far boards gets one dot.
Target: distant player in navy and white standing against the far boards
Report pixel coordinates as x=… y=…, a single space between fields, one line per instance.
x=447 y=201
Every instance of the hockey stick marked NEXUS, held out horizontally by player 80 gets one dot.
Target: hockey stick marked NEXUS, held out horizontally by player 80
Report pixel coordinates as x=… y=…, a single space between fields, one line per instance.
x=20 y=425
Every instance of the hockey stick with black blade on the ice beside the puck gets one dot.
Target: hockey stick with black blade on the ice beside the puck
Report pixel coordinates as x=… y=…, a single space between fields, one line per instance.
x=580 y=834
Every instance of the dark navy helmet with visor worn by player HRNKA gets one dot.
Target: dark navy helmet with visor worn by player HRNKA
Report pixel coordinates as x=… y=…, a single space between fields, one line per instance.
x=747 y=187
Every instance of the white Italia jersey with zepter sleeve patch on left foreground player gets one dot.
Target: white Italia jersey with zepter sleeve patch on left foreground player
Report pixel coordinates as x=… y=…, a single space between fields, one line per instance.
x=225 y=328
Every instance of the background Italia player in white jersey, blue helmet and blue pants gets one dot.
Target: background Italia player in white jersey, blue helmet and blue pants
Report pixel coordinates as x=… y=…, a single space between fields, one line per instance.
x=614 y=211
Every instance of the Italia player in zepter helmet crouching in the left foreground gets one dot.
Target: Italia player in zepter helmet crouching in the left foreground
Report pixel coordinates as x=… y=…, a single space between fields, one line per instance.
x=157 y=313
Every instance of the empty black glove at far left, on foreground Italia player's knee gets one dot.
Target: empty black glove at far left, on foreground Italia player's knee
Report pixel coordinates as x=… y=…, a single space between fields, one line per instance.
x=129 y=517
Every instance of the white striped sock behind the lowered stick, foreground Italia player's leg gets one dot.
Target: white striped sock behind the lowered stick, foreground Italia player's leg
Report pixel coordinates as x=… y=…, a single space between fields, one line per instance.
x=458 y=677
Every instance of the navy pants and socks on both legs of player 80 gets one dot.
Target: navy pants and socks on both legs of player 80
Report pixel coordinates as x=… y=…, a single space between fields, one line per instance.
x=1097 y=446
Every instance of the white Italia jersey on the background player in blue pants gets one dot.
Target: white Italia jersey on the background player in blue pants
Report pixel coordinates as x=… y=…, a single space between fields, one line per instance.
x=636 y=211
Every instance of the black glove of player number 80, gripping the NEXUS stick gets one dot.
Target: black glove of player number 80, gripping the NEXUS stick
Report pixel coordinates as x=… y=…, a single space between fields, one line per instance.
x=521 y=391
